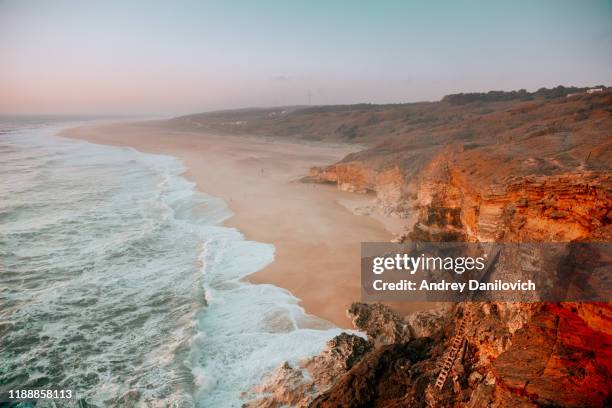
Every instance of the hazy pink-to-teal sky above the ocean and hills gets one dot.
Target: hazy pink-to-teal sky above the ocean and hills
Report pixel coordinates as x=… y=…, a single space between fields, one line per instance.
x=178 y=57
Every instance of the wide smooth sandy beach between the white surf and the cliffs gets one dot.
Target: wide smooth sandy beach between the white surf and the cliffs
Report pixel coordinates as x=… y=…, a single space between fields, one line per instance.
x=317 y=237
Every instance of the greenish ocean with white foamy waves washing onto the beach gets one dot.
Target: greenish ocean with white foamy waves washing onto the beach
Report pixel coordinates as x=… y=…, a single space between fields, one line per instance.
x=119 y=282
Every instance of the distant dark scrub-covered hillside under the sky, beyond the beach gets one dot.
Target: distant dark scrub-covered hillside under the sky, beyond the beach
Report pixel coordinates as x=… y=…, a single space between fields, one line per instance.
x=370 y=124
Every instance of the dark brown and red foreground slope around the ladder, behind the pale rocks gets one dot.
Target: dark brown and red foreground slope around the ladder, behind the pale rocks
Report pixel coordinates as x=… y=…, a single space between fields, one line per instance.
x=514 y=355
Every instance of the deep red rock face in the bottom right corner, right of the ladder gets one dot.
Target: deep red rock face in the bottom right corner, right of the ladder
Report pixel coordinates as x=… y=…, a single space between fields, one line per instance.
x=558 y=359
